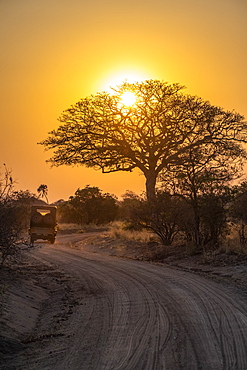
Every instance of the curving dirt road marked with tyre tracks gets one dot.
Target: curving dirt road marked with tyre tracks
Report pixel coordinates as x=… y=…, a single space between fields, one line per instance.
x=101 y=312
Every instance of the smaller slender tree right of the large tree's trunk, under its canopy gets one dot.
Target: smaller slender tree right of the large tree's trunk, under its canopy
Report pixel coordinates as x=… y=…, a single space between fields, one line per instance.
x=202 y=180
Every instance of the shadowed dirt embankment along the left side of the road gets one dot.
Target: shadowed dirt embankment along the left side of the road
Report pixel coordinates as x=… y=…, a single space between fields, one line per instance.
x=35 y=297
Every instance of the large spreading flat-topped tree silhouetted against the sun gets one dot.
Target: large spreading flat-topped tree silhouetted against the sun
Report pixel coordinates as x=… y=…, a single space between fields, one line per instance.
x=101 y=132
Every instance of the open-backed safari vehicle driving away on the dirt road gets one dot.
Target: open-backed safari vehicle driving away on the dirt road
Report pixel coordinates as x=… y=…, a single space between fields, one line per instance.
x=43 y=224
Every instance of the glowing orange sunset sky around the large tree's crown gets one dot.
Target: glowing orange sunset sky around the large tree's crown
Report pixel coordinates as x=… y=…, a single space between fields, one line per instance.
x=55 y=52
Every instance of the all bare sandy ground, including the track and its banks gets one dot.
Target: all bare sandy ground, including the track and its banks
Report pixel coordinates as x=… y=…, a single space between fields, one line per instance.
x=74 y=306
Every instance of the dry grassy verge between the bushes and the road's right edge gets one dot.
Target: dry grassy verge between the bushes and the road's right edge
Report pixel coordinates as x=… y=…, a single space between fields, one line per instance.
x=227 y=263
